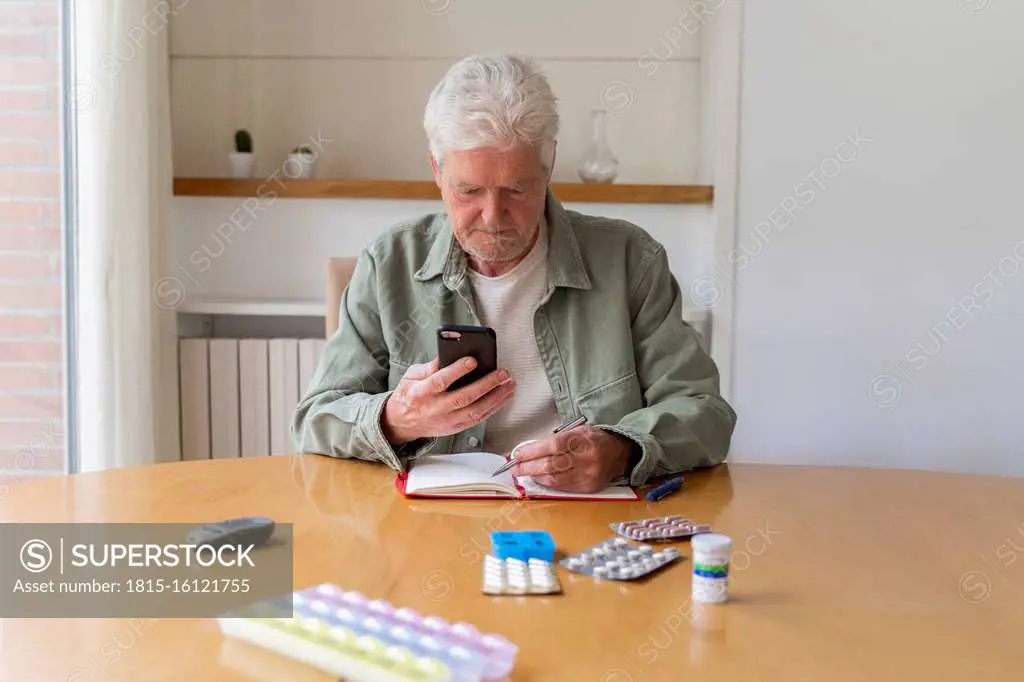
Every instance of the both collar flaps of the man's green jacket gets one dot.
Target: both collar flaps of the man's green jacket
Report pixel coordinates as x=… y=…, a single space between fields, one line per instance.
x=566 y=265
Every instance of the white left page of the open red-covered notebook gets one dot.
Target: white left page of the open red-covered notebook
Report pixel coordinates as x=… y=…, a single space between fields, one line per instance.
x=443 y=473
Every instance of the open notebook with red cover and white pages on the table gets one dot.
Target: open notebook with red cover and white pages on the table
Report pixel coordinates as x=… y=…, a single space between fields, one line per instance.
x=468 y=476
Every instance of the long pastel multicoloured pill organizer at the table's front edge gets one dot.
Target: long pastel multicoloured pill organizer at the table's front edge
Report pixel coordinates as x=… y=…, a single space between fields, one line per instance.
x=351 y=636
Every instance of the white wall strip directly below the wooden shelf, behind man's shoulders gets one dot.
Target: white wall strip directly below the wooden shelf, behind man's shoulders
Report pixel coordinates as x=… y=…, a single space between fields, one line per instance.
x=280 y=253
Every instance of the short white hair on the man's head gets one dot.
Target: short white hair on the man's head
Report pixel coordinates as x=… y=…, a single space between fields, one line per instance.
x=492 y=101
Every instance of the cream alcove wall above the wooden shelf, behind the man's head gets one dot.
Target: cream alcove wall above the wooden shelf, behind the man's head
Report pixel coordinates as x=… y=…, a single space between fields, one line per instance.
x=360 y=74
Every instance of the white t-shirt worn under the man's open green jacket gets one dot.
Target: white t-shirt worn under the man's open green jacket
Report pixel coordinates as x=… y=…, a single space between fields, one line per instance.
x=506 y=304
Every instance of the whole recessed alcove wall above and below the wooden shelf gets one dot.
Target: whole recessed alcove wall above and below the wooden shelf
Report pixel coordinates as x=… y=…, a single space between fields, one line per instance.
x=360 y=74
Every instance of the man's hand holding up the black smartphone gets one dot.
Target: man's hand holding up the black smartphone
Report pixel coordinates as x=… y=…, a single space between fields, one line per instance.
x=421 y=406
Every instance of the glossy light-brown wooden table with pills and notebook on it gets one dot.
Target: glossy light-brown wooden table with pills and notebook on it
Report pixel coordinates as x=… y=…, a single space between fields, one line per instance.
x=839 y=575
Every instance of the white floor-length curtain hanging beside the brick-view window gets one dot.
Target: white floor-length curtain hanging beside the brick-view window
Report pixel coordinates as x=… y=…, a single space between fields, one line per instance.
x=126 y=344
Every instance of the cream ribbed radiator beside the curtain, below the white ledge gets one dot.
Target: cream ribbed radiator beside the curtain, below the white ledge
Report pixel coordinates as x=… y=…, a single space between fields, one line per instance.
x=238 y=396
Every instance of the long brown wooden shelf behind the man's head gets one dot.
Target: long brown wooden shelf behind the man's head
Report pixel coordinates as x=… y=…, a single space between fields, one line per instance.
x=346 y=189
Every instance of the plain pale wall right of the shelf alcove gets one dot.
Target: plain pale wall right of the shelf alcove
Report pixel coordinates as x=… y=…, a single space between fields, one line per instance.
x=889 y=247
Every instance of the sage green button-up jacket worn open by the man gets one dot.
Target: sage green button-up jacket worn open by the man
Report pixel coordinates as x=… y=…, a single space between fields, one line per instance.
x=610 y=331
